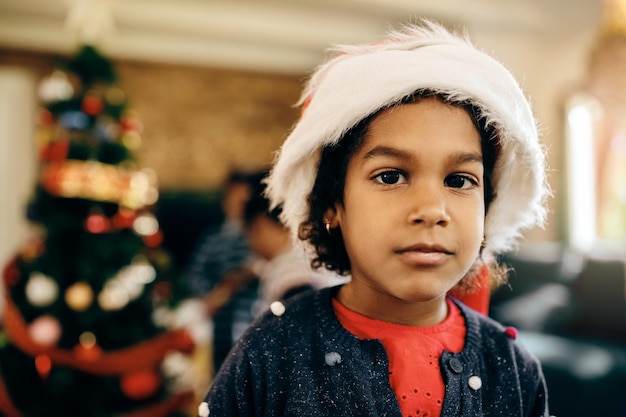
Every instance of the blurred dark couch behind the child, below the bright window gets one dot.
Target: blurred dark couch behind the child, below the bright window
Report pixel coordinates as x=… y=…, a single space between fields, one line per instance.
x=570 y=309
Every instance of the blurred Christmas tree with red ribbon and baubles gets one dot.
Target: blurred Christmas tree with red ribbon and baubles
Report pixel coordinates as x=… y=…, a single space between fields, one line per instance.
x=83 y=330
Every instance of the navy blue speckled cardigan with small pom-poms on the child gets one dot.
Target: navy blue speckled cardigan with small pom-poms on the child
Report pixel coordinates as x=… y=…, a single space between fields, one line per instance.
x=305 y=363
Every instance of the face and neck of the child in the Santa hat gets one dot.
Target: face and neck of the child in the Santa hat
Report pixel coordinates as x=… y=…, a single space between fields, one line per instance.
x=413 y=212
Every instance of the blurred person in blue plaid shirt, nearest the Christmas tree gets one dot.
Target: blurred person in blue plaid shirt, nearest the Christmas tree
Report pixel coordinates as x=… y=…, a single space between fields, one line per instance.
x=221 y=267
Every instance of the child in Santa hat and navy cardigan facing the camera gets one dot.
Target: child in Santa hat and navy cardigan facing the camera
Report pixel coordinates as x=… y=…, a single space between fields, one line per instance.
x=414 y=158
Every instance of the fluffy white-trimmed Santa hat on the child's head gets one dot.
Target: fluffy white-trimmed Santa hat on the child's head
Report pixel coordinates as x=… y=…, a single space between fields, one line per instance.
x=363 y=79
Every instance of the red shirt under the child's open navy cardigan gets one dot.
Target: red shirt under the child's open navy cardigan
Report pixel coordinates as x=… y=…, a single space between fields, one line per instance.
x=414 y=353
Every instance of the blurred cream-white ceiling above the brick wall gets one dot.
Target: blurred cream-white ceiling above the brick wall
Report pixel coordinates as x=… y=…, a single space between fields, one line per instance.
x=286 y=36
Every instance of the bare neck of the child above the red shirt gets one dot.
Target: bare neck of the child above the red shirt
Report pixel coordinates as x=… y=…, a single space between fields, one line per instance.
x=370 y=304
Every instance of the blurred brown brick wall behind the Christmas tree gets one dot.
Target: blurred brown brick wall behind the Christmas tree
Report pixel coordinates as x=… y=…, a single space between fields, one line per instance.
x=198 y=122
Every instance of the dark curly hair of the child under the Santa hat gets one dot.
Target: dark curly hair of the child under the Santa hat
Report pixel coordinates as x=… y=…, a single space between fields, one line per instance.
x=328 y=188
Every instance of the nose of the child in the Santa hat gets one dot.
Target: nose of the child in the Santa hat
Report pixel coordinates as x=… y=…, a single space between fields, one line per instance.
x=428 y=206
